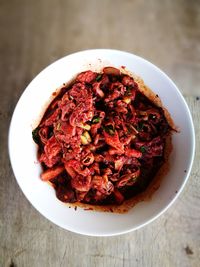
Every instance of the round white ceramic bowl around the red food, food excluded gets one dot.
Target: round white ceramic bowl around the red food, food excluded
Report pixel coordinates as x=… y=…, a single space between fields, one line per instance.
x=23 y=151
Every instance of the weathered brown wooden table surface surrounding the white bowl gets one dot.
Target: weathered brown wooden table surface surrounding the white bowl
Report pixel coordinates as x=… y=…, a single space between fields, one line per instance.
x=35 y=33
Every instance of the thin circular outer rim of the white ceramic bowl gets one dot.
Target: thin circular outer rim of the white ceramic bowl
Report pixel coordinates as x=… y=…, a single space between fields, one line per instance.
x=190 y=160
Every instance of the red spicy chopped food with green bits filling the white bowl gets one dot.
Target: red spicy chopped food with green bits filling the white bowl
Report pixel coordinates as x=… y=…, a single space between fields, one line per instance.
x=103 y=139
